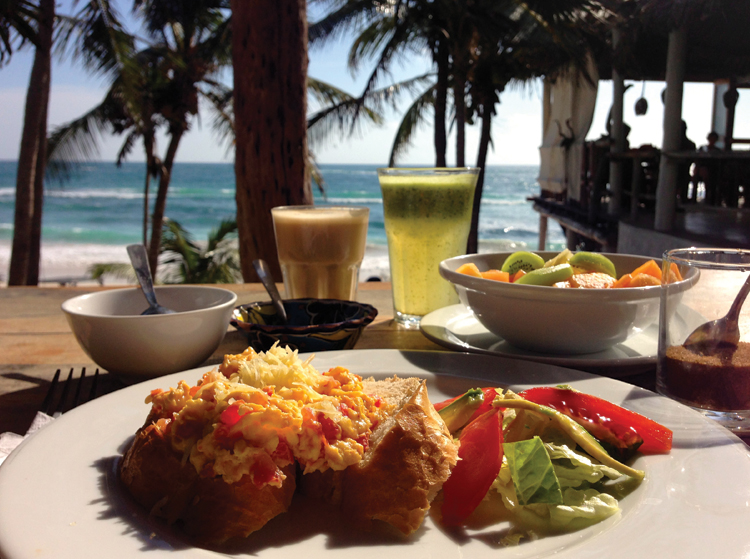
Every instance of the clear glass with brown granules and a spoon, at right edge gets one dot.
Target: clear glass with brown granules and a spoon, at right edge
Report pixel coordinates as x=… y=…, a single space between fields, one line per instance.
x=714 y=382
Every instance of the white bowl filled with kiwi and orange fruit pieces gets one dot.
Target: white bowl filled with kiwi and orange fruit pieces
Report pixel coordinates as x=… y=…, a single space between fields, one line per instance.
x=554 y=320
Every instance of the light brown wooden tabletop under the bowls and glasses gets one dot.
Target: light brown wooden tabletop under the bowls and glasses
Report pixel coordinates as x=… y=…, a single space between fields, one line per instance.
x=35 y=340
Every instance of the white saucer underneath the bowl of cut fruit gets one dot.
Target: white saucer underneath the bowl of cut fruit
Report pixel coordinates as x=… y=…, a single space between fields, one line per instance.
x=456 y=327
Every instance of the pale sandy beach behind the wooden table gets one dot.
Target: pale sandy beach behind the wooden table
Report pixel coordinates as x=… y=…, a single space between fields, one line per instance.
x=61 y=262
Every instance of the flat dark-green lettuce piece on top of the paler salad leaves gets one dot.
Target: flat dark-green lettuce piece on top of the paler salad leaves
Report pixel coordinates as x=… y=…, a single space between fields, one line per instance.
x=532 y=472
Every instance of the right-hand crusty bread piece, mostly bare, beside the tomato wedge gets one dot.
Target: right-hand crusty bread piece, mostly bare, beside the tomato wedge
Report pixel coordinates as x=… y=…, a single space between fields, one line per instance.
x=410 y=456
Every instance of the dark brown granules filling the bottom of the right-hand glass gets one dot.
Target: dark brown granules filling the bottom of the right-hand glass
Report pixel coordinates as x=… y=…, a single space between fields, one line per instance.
x=718 y=382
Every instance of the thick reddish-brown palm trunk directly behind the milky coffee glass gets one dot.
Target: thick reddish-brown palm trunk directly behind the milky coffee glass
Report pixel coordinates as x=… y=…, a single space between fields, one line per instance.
x=269 y=54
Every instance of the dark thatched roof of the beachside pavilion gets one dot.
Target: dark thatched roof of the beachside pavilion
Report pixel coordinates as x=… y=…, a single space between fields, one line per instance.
x=718 y=38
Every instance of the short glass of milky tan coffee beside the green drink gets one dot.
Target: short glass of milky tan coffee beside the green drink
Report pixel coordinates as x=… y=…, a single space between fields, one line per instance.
x=320 y=249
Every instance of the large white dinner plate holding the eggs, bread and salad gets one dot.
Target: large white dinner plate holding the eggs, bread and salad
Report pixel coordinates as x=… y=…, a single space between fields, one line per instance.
x=59 y=497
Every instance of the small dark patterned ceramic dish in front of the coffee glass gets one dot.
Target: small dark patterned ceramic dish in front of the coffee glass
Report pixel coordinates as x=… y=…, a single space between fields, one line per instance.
x=314 y=324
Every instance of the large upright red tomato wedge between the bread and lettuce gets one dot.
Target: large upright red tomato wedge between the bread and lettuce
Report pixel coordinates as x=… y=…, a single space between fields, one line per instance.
x=480 y=458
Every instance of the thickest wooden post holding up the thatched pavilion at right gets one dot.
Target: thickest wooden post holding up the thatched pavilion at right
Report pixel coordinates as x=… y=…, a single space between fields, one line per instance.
x=666 y=191
